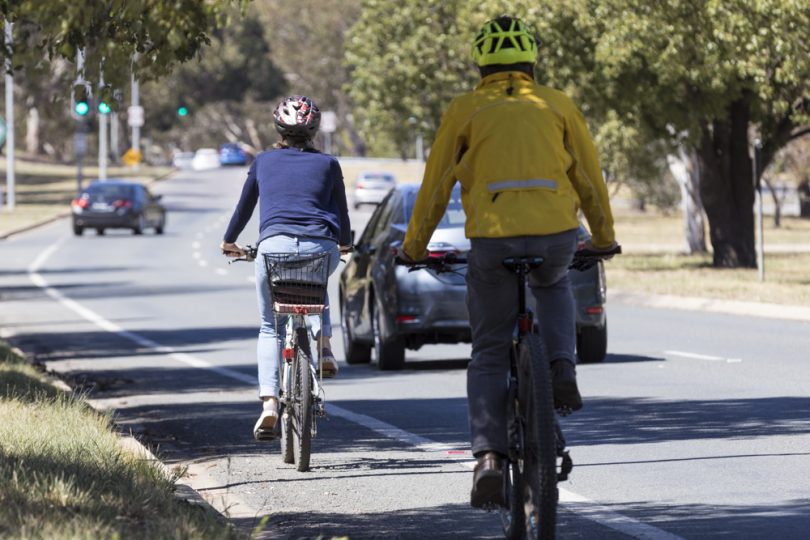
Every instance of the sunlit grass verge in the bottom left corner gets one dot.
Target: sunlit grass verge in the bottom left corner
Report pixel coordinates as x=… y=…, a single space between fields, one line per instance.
x=63 y=473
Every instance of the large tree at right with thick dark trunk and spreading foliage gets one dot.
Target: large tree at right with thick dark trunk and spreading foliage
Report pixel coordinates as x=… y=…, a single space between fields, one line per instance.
x=699 y=73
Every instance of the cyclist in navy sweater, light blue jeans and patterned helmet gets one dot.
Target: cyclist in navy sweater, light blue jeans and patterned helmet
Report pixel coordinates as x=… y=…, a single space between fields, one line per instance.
x=302 y=210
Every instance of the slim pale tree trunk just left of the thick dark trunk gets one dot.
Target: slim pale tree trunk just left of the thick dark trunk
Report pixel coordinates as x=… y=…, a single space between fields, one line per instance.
x=685 y=169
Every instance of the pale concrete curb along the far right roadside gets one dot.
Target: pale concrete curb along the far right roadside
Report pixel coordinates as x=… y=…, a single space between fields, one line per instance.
x=732 y=307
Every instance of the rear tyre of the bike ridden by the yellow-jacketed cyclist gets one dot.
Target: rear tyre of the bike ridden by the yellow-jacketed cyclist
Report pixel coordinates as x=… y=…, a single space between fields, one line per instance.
x=539 y=455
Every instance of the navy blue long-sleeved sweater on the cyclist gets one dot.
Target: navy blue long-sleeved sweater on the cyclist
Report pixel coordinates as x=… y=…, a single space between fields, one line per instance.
x=300 y=193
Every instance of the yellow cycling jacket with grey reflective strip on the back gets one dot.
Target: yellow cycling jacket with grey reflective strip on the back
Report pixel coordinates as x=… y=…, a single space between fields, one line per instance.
x=525 y=161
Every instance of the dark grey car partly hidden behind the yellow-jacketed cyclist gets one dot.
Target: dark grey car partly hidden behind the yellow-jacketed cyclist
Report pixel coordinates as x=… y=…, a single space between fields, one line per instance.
x=387 y=309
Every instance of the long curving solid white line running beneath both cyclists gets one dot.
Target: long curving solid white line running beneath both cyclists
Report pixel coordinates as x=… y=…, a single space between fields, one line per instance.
x=579 y=504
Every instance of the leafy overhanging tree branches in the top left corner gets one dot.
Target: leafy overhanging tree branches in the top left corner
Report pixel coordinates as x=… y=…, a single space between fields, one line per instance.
x=162 y=33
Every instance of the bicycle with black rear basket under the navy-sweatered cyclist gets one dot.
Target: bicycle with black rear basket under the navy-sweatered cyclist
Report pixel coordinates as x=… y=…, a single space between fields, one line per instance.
x=298 y=287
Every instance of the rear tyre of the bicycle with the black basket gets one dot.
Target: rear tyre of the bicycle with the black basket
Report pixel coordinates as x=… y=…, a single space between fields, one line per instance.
x=302 y=404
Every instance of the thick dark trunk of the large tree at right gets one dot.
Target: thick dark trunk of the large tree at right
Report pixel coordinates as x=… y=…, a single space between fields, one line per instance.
x=727 y=187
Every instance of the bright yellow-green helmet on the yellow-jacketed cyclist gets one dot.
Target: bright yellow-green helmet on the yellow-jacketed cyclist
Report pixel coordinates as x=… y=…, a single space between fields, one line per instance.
x=504 y=40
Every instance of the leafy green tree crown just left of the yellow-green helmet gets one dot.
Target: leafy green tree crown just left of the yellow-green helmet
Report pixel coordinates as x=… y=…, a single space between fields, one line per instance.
x=407 y=59
